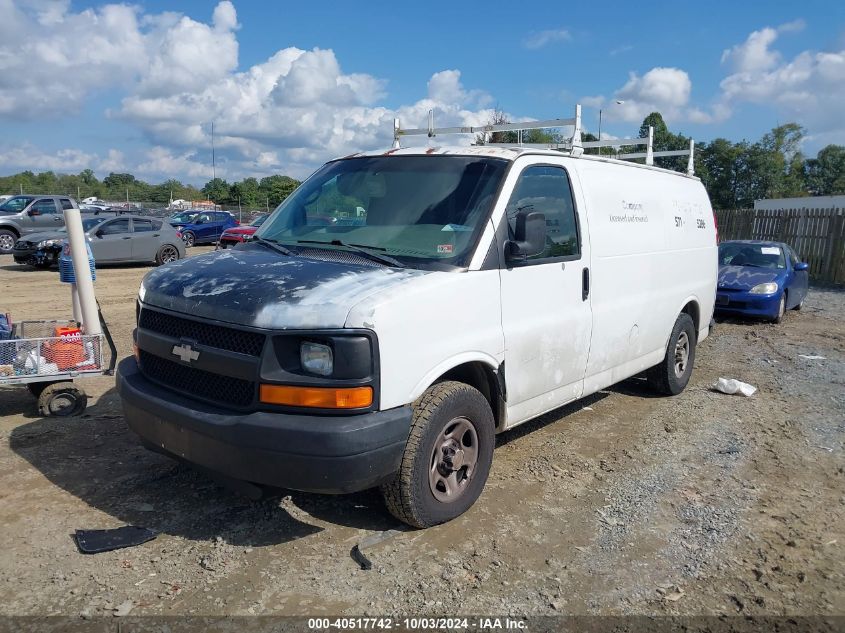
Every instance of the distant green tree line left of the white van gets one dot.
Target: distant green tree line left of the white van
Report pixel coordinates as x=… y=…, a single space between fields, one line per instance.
x=249 y=192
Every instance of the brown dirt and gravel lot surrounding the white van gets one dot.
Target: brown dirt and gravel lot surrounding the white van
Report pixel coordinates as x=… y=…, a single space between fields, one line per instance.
x=621 y=504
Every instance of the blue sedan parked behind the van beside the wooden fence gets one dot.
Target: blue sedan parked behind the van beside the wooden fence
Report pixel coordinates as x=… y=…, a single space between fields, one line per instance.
x=760 y=279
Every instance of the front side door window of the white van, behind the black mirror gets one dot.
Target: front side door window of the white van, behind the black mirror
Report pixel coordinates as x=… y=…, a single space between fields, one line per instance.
x=545 y=189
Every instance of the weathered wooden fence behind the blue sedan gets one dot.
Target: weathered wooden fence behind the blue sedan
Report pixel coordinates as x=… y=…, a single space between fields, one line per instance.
x=816 y=235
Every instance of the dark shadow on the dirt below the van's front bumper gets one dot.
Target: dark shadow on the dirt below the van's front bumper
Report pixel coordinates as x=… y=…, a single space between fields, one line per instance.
x=96 y=458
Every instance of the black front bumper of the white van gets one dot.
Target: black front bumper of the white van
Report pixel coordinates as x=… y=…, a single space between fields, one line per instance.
x=312 y=453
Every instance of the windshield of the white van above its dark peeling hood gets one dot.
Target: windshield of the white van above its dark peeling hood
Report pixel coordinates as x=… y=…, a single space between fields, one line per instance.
x=419 y=210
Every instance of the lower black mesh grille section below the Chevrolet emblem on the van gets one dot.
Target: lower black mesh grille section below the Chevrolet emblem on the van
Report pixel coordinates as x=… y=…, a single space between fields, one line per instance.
x=197 y=382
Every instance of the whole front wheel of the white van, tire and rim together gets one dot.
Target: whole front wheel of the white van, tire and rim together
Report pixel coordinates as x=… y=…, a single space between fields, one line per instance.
x=448 y=415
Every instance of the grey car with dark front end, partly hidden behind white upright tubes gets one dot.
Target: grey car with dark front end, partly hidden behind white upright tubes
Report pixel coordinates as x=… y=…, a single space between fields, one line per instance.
x=128 y=238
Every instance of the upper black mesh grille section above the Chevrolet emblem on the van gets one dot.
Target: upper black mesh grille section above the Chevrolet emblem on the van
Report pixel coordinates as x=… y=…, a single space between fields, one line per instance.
x=240 y=341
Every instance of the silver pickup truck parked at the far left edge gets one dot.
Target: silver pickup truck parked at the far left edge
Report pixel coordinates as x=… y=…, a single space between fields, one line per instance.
x=24 y=214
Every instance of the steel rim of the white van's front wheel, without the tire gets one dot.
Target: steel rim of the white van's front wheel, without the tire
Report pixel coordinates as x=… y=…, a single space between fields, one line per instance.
x=453 y=460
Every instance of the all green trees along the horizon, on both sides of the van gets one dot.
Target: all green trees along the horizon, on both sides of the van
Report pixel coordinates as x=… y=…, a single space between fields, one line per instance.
x=734 y=174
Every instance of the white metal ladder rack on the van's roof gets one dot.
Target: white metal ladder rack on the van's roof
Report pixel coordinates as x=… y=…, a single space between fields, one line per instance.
x=574 y=144
